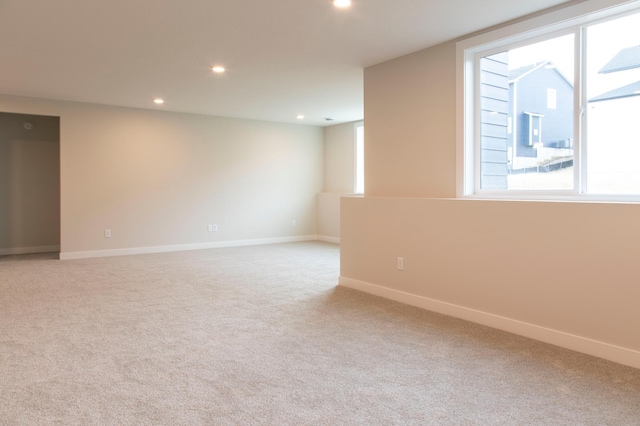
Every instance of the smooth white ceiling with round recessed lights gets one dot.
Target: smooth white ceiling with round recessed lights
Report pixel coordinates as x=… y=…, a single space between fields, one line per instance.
x=283 y=57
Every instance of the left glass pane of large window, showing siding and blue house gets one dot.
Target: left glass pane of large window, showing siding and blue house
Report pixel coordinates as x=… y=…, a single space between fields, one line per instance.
x=526 y=120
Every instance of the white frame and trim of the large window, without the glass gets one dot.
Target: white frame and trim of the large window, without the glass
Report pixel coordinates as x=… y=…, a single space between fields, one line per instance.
x=553 y=24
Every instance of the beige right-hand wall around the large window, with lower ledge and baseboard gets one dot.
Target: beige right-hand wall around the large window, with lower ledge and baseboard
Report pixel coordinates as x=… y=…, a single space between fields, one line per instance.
x=561 y=272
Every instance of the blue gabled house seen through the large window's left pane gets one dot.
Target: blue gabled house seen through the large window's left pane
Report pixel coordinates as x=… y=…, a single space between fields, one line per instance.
x=540 y=124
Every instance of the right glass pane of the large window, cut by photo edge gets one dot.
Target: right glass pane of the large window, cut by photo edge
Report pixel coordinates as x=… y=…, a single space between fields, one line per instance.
x=613 y=107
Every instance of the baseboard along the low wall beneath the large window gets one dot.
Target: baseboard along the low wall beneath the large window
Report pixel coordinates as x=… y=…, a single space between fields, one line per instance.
x=569 y=341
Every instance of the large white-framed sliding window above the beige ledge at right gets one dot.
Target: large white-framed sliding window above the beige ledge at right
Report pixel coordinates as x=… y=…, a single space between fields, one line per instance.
x=553 y=110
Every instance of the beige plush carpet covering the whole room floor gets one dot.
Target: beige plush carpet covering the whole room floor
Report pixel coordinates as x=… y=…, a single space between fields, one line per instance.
x=261 y=336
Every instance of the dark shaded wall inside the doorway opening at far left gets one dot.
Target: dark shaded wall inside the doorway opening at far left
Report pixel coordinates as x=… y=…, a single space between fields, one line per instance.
x=29 y=184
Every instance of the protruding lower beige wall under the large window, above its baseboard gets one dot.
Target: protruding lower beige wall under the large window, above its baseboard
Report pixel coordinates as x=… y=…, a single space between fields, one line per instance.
x=574 y=276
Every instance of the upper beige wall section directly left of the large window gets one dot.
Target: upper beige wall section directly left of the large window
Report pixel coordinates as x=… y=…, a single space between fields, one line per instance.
x=410 y=114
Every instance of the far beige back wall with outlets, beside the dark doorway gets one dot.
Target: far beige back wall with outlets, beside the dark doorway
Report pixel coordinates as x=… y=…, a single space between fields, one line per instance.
x=156 y=178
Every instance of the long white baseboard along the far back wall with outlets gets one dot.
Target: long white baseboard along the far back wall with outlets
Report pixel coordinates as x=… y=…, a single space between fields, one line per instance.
x=181 y=247
